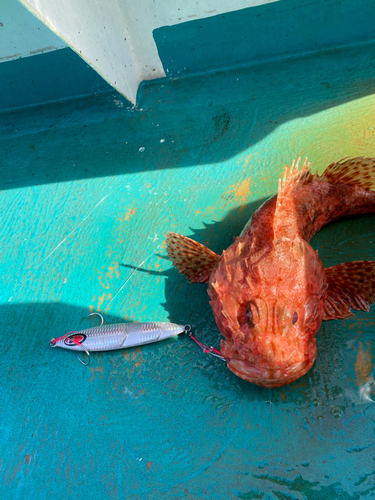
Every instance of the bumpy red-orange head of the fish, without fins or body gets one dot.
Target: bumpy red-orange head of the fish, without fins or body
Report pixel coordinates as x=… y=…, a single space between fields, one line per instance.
x=269 y=306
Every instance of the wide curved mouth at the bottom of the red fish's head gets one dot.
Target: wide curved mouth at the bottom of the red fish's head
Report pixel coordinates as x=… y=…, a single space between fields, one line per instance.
x=266 y=377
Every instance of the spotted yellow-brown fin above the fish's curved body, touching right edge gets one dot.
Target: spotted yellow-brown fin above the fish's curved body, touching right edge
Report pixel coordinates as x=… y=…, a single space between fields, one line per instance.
x=359 y=171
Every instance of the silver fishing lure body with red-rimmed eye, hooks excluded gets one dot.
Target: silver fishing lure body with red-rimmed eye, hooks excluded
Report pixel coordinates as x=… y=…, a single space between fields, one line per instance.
x=118 y=336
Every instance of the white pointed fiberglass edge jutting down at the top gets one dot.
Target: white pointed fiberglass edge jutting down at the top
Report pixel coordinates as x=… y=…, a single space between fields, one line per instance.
x=115 y=36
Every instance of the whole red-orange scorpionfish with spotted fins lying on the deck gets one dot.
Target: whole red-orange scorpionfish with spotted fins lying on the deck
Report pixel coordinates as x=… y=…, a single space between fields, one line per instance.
x=269 y=290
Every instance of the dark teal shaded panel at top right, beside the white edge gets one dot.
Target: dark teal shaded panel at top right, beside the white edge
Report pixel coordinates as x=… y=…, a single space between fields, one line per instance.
x=266 y=32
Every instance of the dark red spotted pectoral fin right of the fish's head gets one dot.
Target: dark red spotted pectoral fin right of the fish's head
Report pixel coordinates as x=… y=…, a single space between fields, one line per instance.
x=350 y=286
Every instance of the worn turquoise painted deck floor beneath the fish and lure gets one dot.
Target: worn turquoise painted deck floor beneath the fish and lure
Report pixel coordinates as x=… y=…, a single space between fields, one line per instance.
x=89 y=187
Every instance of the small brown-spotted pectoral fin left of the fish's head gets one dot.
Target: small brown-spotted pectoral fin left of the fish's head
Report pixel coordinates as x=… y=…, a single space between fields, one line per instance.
x=192 y=259
